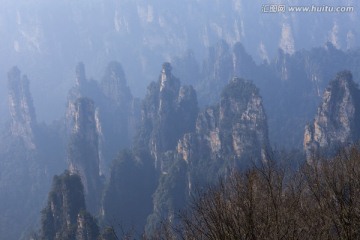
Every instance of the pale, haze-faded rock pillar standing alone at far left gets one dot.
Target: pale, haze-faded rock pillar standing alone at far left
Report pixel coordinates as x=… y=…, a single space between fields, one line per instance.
x=22 y=112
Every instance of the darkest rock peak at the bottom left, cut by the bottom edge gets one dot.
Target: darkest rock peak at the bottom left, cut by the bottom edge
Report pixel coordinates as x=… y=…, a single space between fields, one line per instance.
x=65 y=215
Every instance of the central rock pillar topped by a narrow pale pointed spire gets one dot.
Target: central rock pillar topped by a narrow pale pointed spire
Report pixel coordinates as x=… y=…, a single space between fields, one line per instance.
x=169 y=111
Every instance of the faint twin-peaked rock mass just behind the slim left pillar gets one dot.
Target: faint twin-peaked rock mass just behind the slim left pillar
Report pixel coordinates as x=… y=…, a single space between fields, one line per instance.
x=117 y=112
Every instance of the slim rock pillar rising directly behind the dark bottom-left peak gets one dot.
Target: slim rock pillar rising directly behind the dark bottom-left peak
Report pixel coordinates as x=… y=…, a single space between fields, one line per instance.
x=83 y=152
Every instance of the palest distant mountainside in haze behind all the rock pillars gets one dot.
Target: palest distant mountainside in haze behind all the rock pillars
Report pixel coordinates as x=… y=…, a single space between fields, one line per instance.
x=46 y=39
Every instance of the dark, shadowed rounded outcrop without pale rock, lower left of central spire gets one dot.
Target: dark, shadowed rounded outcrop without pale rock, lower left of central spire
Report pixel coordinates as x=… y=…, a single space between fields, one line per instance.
x=129 y=192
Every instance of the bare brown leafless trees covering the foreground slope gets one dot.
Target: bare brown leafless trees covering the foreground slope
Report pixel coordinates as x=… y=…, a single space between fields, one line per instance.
x=320 y=200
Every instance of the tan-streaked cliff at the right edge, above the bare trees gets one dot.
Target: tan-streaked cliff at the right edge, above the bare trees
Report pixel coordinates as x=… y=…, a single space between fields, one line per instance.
x=336 y=122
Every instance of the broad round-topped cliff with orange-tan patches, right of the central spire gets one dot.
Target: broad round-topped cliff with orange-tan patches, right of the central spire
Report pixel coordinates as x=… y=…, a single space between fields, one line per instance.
x=228 y=136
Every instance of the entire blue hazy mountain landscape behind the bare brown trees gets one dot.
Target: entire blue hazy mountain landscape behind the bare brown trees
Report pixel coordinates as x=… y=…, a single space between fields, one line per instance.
x=141 y=102
